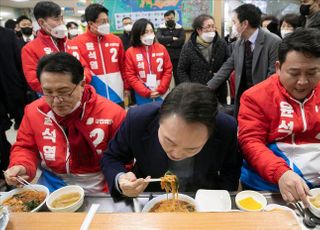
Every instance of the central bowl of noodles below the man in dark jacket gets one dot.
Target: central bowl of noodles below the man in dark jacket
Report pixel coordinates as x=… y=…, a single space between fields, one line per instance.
x=166 y=203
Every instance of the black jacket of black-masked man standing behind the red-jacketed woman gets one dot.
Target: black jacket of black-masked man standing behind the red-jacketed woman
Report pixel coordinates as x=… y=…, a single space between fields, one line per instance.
x=165 y=37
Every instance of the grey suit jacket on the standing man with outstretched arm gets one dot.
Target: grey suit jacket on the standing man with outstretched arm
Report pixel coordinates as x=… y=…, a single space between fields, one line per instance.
x=265 y=54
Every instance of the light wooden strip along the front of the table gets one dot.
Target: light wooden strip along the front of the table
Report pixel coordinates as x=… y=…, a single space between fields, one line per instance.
x=231 y=220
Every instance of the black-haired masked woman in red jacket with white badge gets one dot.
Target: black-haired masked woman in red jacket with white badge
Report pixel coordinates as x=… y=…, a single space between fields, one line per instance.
x=148 y=66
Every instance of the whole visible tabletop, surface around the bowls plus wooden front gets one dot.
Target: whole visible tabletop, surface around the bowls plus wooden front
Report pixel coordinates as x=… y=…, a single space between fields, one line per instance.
x=119 y=214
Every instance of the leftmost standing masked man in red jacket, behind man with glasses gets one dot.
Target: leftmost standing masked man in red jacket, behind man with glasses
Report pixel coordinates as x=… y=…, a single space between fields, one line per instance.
x=51 y=38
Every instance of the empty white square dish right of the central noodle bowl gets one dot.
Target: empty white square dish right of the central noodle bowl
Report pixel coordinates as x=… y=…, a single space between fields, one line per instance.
x=213 y=200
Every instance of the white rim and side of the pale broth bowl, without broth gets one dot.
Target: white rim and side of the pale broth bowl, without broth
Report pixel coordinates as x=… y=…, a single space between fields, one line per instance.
x=65 y=190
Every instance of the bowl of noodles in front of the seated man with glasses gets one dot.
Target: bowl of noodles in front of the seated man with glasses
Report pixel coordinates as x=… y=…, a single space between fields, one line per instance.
x=26 y=199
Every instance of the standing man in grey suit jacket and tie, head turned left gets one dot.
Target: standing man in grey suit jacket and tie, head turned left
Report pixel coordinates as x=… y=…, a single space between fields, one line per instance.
x=254 y=54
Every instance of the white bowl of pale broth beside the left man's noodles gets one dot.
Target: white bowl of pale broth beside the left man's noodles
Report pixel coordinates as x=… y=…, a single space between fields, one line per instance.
x=66 y=199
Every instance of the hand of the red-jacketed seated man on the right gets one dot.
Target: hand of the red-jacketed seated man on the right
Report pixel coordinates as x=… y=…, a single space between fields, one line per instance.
x=293 y=188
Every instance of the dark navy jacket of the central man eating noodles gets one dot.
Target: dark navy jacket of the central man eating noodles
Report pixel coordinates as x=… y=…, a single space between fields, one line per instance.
x=216 y=166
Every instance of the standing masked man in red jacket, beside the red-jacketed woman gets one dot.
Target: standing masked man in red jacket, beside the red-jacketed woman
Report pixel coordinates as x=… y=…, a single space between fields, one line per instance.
x=102 y=52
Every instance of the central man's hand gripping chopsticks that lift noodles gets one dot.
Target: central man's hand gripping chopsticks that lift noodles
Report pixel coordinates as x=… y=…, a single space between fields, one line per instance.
x=131 y=186
